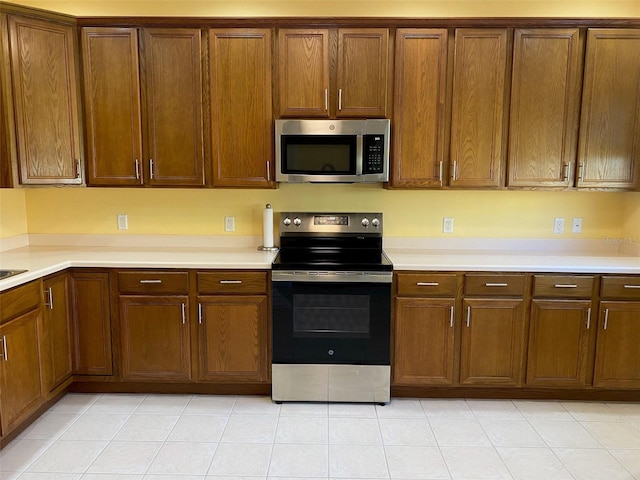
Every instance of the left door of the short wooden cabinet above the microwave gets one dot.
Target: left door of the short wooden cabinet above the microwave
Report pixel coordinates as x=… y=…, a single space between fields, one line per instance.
x=303 y=72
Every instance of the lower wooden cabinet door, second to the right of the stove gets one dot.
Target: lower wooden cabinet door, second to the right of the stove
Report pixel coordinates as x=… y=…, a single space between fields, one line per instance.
x=492 y=342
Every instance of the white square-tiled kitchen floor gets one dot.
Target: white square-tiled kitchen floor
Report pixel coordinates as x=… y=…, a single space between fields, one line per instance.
x=109 y=436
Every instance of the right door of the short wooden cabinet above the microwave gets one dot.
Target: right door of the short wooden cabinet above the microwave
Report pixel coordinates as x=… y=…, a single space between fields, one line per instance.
x=363 y=58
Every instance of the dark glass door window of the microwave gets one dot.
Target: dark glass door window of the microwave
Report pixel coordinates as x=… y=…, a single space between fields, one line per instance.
x=319 y=154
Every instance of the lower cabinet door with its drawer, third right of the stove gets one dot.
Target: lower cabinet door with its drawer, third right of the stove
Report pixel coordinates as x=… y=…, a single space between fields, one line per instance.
x=562 y=331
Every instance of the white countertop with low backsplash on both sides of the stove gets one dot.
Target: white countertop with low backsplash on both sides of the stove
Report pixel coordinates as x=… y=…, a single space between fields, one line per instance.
x=521 y=256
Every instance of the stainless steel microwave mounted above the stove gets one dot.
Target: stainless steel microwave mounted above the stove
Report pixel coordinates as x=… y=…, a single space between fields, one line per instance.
x=332 y=151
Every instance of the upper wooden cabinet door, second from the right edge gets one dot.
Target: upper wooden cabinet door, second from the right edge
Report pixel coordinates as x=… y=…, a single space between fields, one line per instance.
x=545 y=103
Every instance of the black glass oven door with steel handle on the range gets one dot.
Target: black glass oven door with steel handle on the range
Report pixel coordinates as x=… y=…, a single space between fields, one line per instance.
x=331 y=318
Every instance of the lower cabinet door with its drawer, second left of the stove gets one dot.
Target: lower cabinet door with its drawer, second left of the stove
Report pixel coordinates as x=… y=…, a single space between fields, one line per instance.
x=155 y=341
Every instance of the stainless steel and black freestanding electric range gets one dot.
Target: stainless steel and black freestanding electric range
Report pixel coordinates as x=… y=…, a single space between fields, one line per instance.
x=331 y=286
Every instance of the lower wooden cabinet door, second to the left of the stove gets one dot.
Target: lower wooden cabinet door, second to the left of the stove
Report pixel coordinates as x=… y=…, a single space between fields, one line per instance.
x=155 y=341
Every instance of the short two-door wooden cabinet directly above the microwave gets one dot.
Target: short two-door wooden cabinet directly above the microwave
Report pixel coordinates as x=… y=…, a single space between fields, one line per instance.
x=318 y=78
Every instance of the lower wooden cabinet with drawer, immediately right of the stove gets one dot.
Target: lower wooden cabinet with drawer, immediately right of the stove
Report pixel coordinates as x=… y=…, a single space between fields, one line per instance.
x=424 y=329
